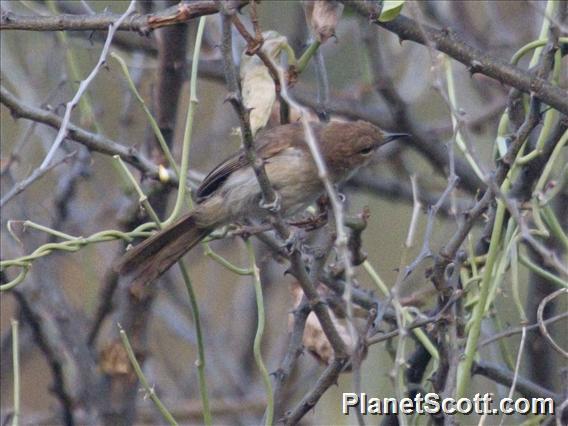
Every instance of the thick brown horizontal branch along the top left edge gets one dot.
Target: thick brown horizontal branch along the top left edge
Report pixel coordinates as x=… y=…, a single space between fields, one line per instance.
x=143 y=24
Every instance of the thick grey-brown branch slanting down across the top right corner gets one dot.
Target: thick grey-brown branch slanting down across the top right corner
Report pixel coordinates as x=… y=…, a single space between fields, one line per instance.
x=474 y=59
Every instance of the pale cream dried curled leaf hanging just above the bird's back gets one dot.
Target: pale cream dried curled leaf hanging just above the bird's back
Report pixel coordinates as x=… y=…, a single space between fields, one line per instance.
x=258 y=86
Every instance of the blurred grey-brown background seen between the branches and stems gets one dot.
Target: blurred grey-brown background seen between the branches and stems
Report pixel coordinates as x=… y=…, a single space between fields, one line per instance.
x=76 y=299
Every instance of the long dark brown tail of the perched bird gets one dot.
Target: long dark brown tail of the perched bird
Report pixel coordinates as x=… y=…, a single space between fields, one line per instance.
x=151 y=258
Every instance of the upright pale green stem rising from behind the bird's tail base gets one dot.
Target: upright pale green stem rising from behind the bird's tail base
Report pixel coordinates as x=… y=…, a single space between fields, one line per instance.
x=188 y=124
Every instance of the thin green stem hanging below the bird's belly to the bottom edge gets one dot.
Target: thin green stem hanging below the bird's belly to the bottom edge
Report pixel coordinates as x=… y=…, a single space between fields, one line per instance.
x=269 y=416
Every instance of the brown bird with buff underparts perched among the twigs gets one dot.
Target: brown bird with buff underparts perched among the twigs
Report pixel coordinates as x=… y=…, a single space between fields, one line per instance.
x=231 y=192
